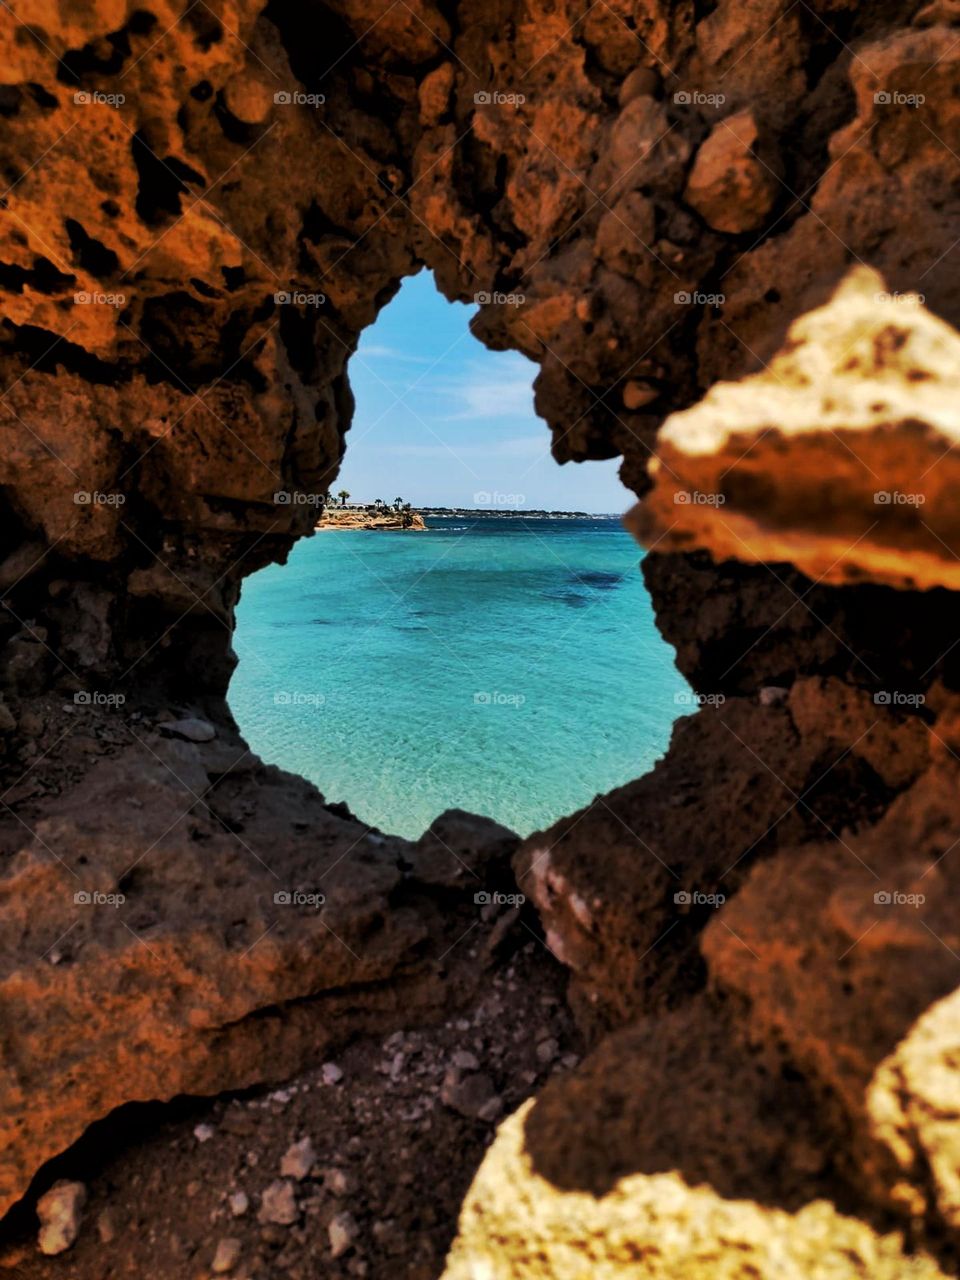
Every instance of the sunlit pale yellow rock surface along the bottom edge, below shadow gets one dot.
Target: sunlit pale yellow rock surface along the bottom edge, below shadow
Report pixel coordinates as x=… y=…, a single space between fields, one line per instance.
x=516 y=1226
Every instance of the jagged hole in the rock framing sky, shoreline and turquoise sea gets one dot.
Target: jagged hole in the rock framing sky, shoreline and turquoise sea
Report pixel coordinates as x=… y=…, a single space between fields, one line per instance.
x=505 y=660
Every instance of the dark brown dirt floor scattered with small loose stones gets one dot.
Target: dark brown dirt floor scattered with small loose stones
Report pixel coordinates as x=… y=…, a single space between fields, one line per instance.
x=396 y=1131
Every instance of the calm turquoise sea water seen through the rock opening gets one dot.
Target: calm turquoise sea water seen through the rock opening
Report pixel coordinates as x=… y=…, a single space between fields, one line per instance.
x=506 y=668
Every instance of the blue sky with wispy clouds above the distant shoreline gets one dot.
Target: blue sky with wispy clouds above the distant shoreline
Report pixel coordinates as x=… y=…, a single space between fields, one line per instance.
x=444 y=420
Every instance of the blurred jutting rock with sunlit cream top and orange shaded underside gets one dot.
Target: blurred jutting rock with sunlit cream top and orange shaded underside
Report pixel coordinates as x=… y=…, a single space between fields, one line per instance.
x=840 y=456
